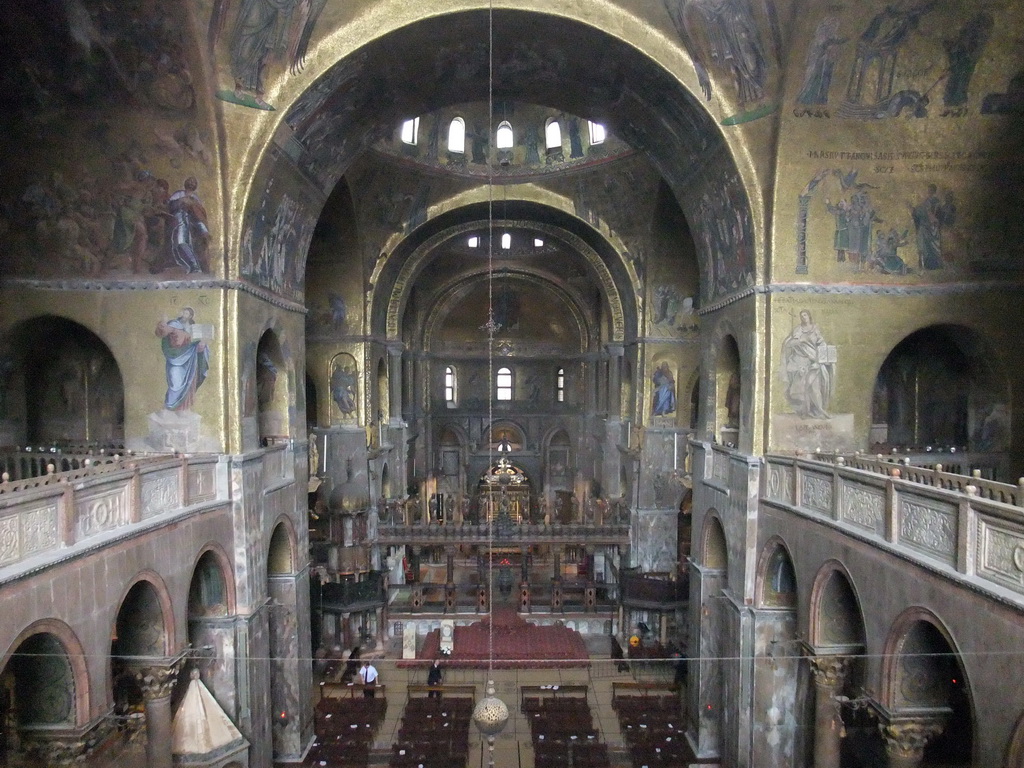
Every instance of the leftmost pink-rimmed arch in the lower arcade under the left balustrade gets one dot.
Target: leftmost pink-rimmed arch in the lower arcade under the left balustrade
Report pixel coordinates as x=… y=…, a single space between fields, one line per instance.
x=65 y=660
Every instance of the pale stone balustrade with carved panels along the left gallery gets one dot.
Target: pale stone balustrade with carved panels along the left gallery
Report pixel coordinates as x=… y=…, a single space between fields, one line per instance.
x=45 y=518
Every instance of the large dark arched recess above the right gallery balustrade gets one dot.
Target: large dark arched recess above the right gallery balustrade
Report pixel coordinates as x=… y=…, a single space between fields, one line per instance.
x=942 y=388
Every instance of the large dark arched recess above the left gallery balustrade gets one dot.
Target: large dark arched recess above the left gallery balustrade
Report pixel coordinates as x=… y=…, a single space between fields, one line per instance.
x=60 y=383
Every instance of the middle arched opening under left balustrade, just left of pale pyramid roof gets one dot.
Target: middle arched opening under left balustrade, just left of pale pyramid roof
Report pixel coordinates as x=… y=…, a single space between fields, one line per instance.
x=141 y=634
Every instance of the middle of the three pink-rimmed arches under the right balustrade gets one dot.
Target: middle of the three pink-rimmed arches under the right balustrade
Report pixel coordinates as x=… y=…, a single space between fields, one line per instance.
x=836 y=618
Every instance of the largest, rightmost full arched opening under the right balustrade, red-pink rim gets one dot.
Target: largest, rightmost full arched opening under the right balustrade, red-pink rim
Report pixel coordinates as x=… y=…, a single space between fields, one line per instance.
x=923 y=672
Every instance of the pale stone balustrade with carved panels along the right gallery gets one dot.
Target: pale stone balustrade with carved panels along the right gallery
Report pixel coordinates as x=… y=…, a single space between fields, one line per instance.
x=971 y=530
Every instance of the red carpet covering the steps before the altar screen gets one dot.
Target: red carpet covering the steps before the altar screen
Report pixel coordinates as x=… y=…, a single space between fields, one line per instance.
x=517 y=645
